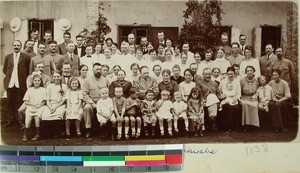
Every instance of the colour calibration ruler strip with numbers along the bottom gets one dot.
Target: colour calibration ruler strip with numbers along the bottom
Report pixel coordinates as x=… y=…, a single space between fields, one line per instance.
x=150 y=158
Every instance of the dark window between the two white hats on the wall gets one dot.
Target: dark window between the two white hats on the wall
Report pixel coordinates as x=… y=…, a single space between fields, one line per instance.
x=42 y=26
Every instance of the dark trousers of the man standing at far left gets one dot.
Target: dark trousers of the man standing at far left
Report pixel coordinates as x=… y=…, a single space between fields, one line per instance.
x=14 y=101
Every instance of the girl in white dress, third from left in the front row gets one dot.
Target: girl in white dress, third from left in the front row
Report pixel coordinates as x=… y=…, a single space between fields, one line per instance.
x=74 y=97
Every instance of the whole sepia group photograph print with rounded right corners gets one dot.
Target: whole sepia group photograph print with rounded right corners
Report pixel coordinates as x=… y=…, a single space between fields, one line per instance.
x=148 y=72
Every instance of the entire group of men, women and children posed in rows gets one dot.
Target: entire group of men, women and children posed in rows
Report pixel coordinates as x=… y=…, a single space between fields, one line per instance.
x=144 y=90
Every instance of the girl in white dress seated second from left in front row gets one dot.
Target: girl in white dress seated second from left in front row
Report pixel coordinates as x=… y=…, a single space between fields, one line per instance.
x=56 y=108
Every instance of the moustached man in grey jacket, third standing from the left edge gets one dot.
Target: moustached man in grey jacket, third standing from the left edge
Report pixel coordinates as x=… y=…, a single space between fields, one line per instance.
x=48 y=62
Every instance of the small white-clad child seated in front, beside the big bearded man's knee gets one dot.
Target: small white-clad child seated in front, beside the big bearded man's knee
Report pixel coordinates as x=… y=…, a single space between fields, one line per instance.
x=105 y=113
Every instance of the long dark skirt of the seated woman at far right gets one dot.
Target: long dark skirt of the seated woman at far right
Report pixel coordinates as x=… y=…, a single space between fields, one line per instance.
x=280 y=113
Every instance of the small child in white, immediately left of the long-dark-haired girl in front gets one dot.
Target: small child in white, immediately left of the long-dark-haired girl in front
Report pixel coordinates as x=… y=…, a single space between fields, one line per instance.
x=179 y=109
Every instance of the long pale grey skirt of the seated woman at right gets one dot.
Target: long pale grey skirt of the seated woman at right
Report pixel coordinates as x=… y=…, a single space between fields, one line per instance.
x=250 y=113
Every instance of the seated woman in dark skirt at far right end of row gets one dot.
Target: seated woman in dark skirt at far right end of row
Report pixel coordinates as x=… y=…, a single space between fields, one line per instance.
x=281 y=105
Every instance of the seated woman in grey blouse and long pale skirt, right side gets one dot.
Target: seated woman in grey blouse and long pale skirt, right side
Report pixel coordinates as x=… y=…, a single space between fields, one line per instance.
x=249 y=103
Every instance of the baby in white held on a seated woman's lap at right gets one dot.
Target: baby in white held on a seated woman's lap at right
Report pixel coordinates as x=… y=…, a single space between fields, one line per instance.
x=231 y=96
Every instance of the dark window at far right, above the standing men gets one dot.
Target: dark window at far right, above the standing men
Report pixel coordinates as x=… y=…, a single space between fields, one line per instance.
x=270 y=35
